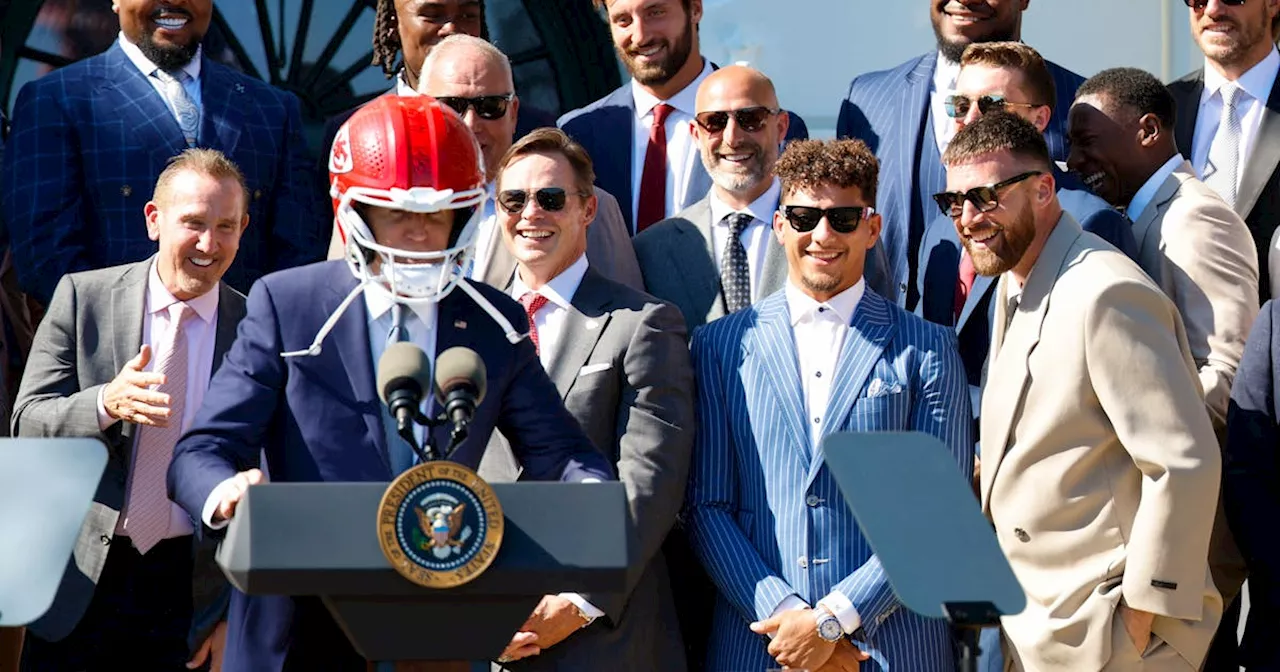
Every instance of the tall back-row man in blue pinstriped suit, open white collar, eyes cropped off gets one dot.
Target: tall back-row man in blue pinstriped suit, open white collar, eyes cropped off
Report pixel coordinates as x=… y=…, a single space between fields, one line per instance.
x=900 y=115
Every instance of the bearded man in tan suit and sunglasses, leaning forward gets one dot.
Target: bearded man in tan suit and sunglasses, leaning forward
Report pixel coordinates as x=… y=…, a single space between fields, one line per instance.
x=1100 y=465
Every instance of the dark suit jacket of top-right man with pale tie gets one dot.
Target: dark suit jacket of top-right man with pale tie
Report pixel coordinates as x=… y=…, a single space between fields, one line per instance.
x=1259 y=198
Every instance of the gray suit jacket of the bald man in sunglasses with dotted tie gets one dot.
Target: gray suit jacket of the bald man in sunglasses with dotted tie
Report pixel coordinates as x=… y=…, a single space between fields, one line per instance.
x=678 y=262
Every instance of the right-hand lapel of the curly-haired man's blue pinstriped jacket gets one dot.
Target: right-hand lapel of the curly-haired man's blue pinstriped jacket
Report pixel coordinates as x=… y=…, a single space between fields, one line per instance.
x=870 y=331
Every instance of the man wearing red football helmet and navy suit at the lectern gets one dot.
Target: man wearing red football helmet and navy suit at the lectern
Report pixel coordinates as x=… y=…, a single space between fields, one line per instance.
x=300 y=377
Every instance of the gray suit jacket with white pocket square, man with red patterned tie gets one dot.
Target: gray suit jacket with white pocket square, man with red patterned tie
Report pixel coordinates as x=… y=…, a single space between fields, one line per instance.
x=623 y=368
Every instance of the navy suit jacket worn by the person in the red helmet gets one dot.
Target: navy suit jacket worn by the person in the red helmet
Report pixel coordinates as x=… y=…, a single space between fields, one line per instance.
x=319 y=419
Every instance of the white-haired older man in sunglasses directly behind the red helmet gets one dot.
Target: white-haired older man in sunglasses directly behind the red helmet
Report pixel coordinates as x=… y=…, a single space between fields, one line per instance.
x=473 y=79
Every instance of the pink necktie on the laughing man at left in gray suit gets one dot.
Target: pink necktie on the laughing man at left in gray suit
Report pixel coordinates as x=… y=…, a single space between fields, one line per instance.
x=149 y=509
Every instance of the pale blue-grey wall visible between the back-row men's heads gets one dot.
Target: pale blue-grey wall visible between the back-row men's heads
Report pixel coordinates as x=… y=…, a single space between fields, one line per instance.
x=813 y=48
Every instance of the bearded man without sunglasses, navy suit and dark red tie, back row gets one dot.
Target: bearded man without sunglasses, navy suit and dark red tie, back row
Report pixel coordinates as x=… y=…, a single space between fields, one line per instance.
x=641 y=135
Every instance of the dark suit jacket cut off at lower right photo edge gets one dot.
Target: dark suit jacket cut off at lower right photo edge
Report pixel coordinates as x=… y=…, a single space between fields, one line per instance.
x=1251 y=482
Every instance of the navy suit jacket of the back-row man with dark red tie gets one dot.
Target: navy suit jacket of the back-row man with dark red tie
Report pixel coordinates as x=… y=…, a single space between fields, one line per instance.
x=607 y=130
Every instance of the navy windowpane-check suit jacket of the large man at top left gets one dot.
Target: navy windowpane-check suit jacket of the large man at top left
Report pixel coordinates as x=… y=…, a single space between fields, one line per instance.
x=90 y=141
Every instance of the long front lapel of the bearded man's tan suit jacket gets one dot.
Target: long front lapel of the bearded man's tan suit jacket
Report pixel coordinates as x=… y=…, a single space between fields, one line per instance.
x=1011 y=350
